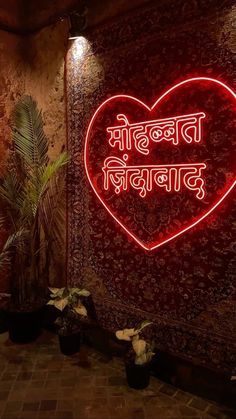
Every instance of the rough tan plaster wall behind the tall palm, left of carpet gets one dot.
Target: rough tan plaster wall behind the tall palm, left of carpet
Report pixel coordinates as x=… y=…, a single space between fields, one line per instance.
x=35 y=66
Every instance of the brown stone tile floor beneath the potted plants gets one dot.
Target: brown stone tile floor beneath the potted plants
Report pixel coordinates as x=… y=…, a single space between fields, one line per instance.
x=37 y=381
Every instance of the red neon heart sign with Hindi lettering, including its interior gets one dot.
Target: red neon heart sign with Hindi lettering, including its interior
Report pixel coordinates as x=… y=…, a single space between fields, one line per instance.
x=161 y=170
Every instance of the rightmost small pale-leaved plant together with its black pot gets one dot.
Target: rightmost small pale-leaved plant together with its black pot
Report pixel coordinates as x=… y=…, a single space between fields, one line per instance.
x=138 y=356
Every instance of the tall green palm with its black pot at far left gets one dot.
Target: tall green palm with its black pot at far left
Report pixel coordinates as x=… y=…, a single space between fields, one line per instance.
x=31 y=193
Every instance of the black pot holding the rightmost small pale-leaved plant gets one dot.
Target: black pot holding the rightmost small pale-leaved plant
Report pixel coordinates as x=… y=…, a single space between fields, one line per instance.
x=138 y=376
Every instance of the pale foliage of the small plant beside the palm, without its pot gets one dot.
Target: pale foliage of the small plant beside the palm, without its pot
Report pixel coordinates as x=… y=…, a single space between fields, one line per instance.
x=69 y=302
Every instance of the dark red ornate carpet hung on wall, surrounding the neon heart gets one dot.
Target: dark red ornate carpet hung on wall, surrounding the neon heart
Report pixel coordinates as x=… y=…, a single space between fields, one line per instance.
x=186 y=287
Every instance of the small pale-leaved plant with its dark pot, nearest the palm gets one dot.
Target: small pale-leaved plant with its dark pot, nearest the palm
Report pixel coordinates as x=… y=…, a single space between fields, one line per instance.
x=69 y=301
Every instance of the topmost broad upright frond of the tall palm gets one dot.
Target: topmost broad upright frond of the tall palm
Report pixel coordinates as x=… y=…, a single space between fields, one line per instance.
x=28 y=134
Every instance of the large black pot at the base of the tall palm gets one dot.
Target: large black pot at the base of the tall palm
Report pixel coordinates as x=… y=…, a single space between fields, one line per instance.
x=23 y=326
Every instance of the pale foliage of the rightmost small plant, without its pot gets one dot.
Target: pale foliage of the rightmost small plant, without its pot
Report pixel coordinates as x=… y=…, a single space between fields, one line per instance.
x=141 y=351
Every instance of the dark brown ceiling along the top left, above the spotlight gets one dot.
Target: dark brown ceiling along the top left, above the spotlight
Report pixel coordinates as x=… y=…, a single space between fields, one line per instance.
x=24 y=16
